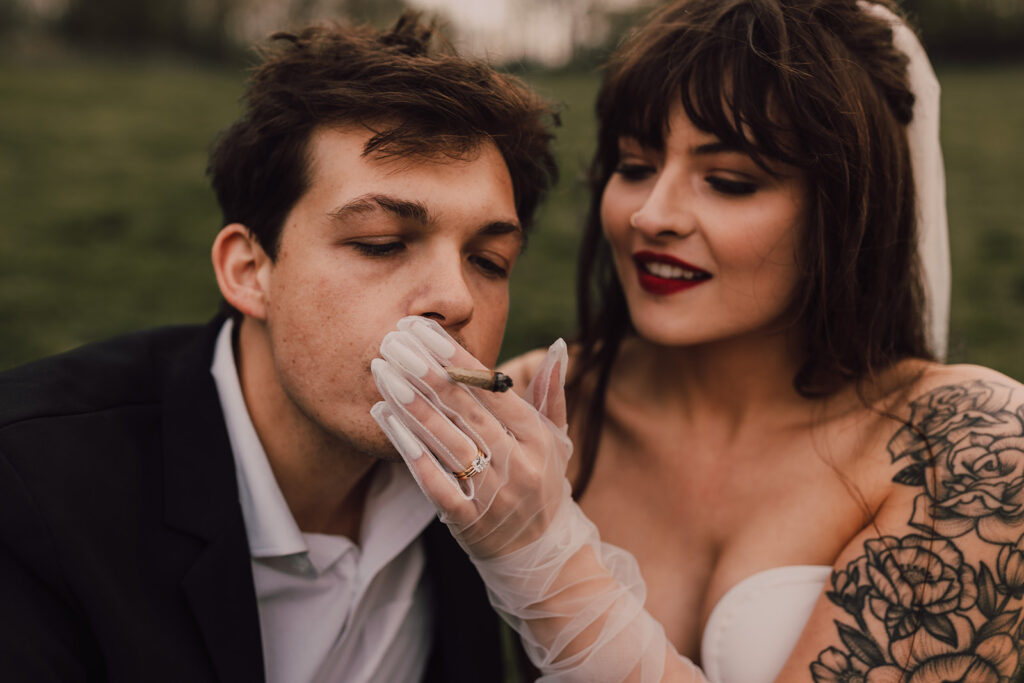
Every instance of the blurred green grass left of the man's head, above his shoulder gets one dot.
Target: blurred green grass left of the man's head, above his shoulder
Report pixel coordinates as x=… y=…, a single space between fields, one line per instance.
x=107 y=220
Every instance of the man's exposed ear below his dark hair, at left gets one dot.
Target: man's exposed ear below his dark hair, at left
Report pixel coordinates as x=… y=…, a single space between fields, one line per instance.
x=242 y=268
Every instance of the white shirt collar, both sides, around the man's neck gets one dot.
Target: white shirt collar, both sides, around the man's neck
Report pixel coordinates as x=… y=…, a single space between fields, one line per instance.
x=397 y=513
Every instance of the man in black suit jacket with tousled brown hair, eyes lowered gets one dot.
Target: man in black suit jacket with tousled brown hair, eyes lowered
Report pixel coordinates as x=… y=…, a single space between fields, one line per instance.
x=198 y=504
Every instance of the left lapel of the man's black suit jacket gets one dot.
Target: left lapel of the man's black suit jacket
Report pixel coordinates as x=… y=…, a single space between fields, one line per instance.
x=202 y=500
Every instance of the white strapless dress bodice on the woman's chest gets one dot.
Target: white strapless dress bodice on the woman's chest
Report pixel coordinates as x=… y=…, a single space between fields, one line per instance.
x=756 y=625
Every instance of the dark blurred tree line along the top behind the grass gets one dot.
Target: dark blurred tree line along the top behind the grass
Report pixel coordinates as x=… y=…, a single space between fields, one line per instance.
x=222 y=30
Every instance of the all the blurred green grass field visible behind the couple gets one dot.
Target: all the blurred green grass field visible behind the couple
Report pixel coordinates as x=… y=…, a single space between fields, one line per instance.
x=106 y=218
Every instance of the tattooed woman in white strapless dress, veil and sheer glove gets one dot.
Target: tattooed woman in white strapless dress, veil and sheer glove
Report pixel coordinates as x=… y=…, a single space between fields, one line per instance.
x=757 y=410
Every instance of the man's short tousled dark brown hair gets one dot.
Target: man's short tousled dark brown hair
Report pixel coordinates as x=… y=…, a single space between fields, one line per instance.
x=418 y=97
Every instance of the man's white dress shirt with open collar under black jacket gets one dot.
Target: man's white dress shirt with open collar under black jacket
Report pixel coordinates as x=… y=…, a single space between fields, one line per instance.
x=329 y=610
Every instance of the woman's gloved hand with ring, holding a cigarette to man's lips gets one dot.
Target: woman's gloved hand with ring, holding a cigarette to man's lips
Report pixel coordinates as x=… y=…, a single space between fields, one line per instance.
x=495 y=466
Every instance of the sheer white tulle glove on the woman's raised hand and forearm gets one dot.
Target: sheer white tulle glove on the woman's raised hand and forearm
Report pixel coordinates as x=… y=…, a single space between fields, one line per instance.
x=495 y=467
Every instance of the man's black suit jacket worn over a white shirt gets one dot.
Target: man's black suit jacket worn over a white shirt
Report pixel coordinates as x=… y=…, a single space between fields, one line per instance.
x=123 y=552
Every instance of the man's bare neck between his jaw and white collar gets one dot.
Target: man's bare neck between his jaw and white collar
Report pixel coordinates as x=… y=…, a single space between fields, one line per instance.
x=324 y=480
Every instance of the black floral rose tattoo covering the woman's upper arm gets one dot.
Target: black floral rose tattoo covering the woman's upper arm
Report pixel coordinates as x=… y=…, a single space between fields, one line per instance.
x=919 y=610
